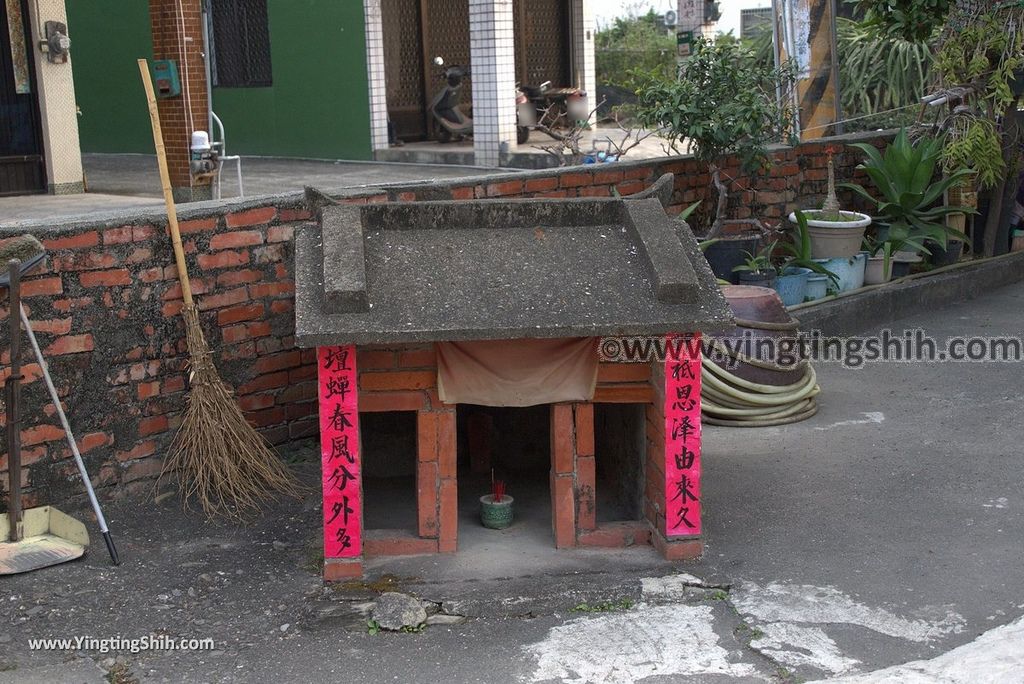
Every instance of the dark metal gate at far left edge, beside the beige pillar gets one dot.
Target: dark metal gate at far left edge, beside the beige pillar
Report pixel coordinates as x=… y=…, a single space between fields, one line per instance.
x=22 y=169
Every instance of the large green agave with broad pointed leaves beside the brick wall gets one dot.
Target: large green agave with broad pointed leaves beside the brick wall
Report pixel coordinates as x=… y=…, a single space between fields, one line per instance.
x=911 y=202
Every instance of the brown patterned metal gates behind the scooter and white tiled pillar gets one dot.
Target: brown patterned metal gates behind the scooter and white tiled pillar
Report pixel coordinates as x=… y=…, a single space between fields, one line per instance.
x=417 y=31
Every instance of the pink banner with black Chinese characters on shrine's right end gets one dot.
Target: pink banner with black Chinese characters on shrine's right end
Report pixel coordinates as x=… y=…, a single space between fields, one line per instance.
x=682 y=436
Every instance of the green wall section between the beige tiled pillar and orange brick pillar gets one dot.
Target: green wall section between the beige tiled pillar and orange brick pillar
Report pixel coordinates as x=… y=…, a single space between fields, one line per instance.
x=107 y=39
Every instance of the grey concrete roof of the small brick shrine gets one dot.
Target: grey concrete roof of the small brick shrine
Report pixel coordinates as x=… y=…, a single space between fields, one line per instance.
x=425 y=272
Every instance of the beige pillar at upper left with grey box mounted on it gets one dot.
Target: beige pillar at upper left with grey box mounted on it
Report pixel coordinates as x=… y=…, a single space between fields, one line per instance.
x=57 y=107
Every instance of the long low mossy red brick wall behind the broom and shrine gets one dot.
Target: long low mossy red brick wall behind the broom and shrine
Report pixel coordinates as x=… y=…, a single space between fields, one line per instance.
x=106 y=310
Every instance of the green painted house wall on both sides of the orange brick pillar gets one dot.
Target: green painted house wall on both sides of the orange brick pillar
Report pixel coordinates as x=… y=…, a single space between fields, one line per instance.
x=318 y=107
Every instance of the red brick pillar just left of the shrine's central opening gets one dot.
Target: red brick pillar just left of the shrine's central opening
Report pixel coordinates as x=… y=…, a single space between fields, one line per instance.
x=438 y=501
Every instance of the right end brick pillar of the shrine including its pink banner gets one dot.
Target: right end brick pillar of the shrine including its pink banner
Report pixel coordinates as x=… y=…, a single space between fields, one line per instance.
x=673 y=489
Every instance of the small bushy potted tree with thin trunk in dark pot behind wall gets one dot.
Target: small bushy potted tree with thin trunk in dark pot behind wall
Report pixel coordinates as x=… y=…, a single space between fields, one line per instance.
x=723 y=104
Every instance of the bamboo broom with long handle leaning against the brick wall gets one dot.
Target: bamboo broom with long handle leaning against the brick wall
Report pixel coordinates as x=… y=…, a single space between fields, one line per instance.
x=220 y=458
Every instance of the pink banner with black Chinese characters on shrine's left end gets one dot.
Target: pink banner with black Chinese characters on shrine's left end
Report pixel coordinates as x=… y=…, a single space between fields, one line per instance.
x=340 y=452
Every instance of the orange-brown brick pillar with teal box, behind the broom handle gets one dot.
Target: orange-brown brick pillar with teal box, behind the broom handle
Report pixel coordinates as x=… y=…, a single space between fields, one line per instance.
x=179 y=35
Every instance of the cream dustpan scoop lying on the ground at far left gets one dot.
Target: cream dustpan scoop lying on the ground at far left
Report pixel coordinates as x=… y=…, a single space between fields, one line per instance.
x=48 y=537
